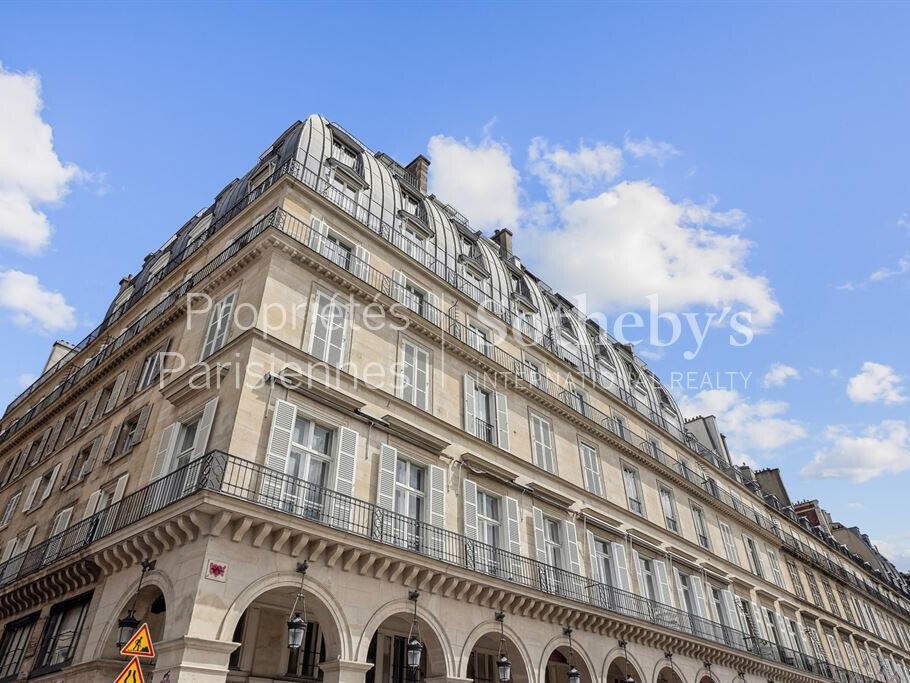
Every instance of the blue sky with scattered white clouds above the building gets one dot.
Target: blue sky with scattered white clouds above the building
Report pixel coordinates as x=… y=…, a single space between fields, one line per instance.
x=773 y=134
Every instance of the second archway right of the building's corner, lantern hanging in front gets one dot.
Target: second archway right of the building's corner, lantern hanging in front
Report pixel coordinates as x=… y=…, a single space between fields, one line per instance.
x=385 y=640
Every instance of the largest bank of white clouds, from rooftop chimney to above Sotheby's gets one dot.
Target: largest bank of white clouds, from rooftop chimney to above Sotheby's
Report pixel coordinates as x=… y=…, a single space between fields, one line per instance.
x=616 y=243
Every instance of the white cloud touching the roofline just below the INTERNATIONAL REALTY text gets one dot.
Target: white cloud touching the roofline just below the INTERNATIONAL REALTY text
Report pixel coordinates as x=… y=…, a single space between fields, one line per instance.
x=761 y=426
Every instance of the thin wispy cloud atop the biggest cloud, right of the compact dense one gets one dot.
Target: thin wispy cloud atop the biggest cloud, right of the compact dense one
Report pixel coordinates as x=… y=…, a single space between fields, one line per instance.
x=565 y=173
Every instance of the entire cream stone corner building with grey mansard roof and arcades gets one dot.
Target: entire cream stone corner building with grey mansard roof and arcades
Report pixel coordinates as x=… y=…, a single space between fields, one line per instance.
x=328 y=370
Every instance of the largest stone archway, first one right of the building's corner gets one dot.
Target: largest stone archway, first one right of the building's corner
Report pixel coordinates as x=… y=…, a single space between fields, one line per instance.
x=262 y=631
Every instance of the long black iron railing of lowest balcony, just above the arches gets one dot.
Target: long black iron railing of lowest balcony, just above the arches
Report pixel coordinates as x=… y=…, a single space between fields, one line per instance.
x=246 y=480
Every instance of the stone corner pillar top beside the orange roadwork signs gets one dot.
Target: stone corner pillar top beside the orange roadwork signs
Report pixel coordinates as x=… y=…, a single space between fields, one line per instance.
x=193 y=660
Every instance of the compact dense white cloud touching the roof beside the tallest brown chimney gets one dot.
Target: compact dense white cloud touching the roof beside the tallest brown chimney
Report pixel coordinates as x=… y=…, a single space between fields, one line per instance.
x=479 y=180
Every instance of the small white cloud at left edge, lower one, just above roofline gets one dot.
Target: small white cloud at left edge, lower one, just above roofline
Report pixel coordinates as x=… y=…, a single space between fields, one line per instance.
x=33 y=306
